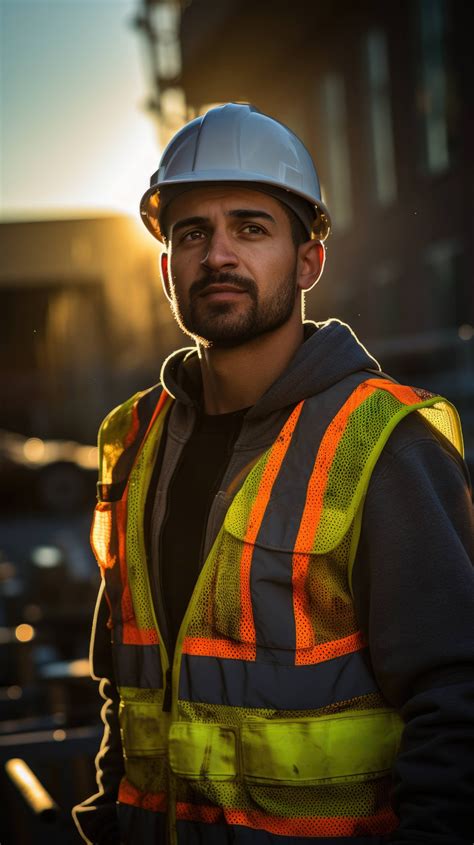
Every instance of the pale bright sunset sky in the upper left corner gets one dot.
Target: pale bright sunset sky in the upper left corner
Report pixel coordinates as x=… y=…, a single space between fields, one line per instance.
x=75 y=137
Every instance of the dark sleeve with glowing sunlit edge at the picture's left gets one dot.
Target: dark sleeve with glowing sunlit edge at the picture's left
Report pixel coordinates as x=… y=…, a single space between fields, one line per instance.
x=96 y=817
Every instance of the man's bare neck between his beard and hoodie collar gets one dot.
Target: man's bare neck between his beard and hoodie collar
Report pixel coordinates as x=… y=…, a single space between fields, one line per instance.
x=237 y=378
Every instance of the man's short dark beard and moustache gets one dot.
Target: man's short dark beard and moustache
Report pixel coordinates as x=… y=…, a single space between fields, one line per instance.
x=215 y=324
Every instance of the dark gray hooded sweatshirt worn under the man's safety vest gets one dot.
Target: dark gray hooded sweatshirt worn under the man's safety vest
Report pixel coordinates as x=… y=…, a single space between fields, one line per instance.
x=413 y=583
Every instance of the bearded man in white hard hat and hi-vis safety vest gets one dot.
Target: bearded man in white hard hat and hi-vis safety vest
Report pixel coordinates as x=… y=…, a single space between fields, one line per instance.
x=285 y=538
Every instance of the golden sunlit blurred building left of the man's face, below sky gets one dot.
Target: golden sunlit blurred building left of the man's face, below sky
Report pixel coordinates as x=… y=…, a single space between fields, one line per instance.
x=84 y=322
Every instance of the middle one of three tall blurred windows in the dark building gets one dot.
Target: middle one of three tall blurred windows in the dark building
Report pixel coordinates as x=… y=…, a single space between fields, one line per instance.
x=381 y=118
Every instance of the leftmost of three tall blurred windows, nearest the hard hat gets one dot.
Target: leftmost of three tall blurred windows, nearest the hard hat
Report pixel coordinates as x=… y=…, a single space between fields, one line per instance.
x=335 y=122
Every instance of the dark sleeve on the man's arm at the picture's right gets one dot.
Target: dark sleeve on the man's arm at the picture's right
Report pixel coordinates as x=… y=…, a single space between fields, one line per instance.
x=414 y=594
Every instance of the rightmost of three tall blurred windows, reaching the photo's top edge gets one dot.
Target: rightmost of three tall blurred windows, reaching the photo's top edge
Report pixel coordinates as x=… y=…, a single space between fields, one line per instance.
x=433 y=99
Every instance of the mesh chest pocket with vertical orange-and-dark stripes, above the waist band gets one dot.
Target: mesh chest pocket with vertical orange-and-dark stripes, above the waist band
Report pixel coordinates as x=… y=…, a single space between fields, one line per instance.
x=282 y=601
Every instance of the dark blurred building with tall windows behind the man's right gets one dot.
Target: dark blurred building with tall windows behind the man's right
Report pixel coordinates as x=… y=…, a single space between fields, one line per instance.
x=383 y=96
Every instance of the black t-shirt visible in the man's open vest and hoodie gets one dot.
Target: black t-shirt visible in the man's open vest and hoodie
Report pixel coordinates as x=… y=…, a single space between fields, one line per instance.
x=193 y=487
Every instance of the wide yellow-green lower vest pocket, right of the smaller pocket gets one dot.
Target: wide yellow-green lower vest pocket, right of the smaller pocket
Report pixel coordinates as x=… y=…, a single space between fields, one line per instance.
x=330 y=775
